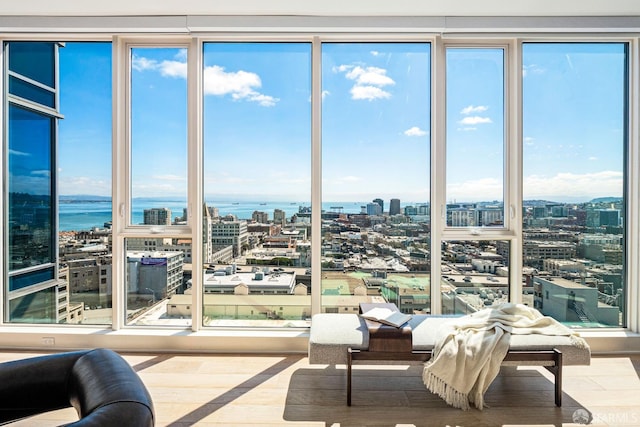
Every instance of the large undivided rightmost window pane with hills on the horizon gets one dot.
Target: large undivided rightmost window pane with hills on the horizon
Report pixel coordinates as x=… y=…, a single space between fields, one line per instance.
x=574 y=134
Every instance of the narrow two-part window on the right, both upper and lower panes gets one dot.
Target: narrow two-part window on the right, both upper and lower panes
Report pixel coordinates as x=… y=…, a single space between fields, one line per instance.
x=475 y=269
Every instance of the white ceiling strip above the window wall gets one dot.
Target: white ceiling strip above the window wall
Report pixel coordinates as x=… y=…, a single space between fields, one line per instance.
x=321 y=7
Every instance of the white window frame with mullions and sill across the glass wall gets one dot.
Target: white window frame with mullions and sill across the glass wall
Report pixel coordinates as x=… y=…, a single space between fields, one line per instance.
x=442 y=32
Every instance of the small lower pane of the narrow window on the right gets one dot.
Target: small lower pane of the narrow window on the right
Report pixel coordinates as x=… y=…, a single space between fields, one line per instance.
x=475 y=275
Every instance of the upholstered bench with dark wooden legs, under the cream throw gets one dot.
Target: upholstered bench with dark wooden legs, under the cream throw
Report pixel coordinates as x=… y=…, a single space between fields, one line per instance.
x=344 y=338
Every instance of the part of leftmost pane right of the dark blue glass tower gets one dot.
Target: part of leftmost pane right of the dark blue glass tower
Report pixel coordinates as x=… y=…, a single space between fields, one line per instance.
x=84 y=179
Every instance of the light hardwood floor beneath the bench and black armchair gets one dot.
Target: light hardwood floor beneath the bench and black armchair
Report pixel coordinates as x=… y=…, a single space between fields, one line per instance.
x=284 y=390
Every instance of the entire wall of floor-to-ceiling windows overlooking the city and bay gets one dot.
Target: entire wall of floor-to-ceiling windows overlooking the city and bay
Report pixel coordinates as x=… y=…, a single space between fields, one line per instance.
x=249 y=130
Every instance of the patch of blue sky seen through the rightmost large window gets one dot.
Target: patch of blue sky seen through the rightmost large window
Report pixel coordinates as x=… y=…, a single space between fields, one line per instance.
x=573 y=129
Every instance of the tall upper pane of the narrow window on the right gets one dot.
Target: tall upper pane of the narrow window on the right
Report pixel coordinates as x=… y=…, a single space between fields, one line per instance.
x=475 y=137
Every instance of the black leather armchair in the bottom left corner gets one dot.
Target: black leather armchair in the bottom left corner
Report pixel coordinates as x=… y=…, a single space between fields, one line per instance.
x=99 y=384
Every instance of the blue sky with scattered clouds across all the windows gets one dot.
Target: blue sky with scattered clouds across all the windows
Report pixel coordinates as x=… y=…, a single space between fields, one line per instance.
x=375 y=121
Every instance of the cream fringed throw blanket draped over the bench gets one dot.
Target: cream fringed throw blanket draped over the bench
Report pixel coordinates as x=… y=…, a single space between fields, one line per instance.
x=470 y=349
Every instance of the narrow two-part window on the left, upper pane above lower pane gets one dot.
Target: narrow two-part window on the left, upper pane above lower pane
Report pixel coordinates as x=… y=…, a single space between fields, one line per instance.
x=157 y=266
